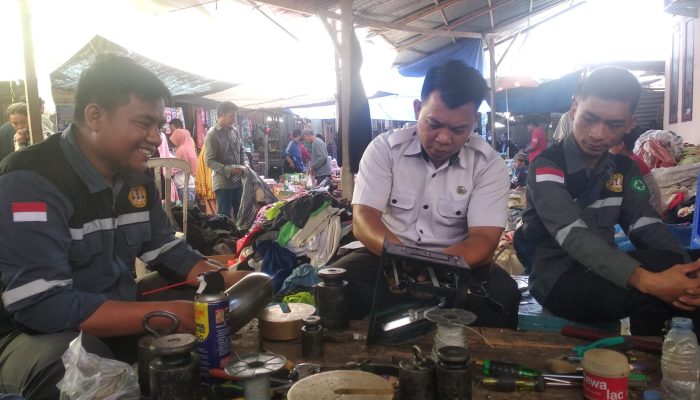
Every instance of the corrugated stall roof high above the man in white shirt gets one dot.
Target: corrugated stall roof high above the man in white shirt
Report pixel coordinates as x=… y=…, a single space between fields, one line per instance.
x=419 y=29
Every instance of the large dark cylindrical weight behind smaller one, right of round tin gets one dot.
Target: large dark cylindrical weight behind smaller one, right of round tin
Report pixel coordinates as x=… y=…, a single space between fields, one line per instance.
x=331 y=297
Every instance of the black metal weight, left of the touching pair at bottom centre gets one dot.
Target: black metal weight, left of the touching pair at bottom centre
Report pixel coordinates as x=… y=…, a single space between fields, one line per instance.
x=417 y=377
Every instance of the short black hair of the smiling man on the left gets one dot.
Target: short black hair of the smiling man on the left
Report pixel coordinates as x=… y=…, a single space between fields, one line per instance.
x=111 y=80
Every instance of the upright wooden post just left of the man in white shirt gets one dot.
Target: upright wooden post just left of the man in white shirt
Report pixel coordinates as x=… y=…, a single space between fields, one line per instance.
x=346 y=30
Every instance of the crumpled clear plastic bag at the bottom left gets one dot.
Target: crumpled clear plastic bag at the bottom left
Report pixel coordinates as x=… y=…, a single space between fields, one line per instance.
x=91 y=377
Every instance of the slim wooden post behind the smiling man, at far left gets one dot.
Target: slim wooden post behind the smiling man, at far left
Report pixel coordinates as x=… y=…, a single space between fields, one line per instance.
x=30 y=82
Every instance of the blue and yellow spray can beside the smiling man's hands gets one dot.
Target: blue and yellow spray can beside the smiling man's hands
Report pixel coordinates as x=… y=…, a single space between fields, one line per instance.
x=211 y=308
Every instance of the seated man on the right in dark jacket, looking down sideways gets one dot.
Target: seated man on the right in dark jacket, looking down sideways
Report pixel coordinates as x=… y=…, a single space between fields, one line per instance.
x=577 y=192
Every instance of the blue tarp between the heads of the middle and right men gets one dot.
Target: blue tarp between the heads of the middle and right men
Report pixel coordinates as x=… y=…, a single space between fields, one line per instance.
x=552 y=96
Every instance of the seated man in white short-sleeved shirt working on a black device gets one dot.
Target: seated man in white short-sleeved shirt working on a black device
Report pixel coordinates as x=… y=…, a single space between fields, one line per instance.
x=436 y=185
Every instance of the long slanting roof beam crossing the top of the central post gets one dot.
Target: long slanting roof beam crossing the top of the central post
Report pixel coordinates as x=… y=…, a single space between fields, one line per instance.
x=369 y=22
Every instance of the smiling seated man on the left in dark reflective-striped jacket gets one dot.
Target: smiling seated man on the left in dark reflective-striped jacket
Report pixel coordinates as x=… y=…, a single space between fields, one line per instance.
x=77 y=209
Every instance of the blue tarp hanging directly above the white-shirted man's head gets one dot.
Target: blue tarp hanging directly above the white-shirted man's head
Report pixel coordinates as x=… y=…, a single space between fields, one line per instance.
x=468 y=50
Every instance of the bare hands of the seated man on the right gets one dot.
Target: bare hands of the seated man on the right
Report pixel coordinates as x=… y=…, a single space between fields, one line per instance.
x=673 y=286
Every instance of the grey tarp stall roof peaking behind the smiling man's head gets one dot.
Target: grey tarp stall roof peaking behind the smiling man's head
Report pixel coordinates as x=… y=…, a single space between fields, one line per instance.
x=180 y=83
